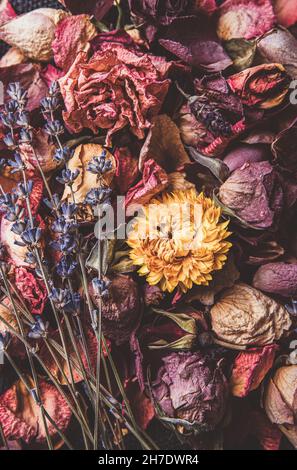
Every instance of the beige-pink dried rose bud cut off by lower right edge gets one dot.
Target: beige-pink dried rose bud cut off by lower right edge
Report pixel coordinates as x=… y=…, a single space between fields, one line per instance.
x=280 y=401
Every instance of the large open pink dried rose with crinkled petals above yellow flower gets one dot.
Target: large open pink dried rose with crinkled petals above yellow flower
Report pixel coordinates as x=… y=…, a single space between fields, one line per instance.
x=115 y=88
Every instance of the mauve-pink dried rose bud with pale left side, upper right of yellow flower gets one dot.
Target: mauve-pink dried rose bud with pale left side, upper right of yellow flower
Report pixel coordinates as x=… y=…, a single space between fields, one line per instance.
x=254 y=193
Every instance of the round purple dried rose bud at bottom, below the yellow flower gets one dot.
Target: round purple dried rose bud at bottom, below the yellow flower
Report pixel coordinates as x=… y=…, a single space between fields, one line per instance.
x=192 y=390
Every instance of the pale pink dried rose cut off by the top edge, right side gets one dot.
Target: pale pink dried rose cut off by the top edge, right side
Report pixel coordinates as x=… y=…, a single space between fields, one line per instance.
x=245 y=18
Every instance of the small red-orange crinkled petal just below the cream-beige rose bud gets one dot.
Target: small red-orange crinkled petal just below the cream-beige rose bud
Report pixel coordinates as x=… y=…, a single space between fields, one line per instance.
x=250 y=368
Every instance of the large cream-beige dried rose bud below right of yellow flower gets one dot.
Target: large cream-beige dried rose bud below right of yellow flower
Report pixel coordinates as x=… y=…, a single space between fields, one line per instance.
x=244 y=316
